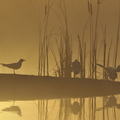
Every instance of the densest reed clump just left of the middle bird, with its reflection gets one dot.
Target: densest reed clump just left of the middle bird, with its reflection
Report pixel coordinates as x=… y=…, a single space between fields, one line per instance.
x=64 y=50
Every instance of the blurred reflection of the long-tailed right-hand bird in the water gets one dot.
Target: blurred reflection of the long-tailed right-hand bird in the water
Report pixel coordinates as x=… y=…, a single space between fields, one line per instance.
x=112 y=102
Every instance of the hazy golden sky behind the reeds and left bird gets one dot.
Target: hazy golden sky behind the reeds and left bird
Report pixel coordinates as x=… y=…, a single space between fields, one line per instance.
x=19 y=33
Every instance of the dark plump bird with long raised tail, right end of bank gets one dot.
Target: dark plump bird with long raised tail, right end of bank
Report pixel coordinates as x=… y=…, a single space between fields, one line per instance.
x=111 y=72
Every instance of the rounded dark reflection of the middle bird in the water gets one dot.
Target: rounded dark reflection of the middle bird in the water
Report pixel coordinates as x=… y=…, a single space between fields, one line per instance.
x=75 y=108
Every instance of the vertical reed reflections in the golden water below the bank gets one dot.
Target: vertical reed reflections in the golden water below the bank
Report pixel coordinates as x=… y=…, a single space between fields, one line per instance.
x=79 y=108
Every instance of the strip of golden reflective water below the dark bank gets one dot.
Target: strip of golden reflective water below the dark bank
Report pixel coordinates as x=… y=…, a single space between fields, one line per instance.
x=61 y=109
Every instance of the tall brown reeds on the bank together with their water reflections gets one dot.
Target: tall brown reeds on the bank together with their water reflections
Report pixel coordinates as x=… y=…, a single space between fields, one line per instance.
x=65 y=51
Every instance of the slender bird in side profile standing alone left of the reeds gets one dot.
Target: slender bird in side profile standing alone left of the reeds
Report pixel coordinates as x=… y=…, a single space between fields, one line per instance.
x=14 y=66
